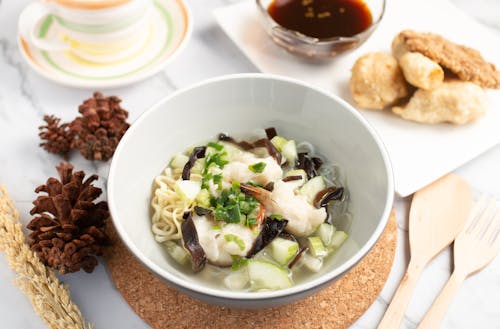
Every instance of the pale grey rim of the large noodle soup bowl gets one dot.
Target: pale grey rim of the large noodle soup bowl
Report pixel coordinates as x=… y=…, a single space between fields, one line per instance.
x=197 y=288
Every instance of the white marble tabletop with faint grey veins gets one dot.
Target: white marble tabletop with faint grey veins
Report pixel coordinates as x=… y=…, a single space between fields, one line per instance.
x=25 y=98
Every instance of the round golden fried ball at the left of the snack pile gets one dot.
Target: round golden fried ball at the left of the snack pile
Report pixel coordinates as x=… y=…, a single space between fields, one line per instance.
x=377 y=81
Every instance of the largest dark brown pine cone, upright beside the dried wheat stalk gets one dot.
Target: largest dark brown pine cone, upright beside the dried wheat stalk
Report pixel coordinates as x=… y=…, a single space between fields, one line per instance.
x=68 y=227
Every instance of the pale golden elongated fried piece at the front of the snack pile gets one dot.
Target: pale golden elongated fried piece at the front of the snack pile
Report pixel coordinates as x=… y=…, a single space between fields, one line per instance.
x=455 y=101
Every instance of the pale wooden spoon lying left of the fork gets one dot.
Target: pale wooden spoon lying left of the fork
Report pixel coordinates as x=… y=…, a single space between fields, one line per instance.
x=437 y=214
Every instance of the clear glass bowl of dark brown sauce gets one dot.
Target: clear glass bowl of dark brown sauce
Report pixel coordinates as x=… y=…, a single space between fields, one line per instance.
x=320 y=28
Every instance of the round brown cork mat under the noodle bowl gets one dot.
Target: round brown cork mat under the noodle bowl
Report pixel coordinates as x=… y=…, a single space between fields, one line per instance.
x=336 y=306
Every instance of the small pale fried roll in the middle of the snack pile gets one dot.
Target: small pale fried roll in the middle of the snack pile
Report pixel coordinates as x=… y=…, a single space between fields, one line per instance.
x=420 y=71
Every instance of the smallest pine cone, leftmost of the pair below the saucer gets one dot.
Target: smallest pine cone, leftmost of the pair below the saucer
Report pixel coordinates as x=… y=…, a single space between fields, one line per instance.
x=57 y=138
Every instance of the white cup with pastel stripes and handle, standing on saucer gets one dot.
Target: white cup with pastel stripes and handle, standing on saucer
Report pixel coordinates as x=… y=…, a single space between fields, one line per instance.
x=95 y=31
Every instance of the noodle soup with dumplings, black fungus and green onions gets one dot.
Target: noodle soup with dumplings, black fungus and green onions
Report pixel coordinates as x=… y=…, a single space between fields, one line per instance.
x=250 y=215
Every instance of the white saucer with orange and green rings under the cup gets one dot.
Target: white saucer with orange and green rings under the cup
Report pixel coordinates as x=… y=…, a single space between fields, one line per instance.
x=169 y=31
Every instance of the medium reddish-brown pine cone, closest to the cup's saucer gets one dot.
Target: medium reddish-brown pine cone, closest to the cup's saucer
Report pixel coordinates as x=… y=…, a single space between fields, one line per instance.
x=100 y=128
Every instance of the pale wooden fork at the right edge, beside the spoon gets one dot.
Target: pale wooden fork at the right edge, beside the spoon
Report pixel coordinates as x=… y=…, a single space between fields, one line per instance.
x=475 y=247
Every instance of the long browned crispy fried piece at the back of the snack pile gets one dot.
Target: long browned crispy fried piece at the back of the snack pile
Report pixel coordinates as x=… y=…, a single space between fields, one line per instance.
x=465 y=62
